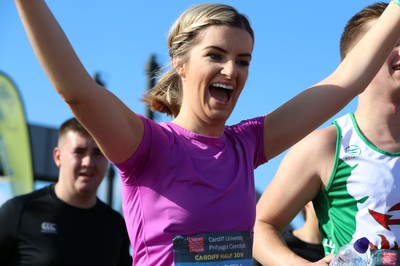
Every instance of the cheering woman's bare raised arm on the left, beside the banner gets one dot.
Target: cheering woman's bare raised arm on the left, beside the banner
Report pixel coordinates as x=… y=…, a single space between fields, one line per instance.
x=117 y=130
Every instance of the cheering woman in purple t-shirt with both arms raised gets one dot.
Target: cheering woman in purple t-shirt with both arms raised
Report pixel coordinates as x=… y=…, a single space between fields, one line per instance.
x=188 y=185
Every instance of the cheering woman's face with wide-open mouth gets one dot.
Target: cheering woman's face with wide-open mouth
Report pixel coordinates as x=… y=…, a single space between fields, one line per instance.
x=215 y=73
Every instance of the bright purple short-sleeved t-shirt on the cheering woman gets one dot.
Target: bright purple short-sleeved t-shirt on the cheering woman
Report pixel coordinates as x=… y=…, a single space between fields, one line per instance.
x=182 y=183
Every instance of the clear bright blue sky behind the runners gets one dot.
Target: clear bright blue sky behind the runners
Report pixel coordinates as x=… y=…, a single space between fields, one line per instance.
x=296 y=45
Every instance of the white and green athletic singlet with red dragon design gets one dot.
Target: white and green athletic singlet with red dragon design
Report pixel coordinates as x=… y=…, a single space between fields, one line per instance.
x=362 y=198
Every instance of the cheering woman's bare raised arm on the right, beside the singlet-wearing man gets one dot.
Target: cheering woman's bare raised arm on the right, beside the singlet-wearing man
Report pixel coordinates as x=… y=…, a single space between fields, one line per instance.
x=295 y=119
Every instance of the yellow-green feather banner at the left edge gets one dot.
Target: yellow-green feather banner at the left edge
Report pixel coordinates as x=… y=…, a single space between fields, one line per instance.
x=15 y=148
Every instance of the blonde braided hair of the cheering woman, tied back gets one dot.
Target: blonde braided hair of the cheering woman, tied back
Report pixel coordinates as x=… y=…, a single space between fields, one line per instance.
x=166 y=96
